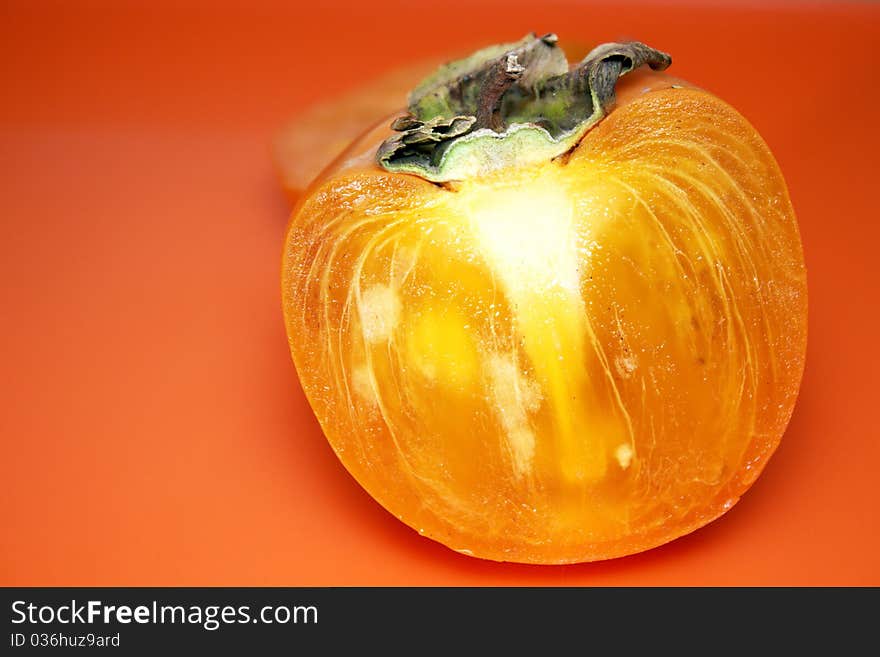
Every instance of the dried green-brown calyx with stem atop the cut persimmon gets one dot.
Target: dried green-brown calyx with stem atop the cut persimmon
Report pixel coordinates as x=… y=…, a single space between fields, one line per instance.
x=510 y=104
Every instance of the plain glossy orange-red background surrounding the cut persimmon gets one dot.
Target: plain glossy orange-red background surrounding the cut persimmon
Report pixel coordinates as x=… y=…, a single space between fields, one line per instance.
x=153 y=428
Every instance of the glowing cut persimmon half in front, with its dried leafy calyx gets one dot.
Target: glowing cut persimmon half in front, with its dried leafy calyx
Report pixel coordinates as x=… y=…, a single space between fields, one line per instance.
x=553 y=313
